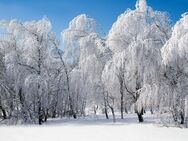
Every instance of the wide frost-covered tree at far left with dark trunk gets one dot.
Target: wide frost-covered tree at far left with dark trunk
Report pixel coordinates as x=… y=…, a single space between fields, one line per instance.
x=28 y=61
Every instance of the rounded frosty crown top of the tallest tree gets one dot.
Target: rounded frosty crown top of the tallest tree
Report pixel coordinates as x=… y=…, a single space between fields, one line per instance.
x=142 y=23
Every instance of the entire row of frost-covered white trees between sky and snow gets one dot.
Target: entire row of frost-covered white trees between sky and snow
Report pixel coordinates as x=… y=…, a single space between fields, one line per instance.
x=140 y=66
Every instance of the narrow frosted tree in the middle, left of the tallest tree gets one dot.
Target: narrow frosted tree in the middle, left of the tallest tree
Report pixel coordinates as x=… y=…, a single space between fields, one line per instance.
x=85 y=53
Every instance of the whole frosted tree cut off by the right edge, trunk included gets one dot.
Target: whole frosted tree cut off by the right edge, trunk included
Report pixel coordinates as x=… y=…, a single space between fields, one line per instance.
x=174 y=55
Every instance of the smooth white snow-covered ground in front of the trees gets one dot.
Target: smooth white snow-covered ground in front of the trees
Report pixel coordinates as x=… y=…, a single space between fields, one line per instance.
x=97 y=129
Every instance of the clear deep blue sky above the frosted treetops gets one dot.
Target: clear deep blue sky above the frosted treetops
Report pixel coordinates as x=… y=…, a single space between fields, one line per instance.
x=61 y=12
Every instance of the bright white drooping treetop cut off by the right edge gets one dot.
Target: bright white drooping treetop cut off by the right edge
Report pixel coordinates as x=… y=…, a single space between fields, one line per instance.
x=176 y=49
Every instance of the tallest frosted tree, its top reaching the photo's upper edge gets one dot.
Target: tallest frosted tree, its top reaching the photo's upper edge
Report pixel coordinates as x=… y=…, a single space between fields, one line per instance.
x=140 y=34
